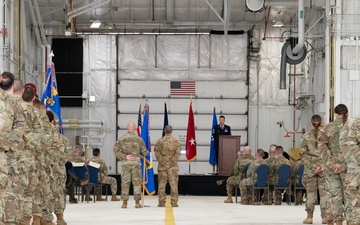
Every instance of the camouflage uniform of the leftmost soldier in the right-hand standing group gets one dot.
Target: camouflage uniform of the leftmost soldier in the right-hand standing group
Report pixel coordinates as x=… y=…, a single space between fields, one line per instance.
x=312 y=181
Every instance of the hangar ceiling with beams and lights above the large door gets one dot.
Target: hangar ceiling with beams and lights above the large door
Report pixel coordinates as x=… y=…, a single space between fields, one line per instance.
x=162 y=15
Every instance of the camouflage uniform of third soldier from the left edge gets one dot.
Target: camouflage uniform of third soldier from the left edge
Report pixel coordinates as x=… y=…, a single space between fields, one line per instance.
x=32 y=136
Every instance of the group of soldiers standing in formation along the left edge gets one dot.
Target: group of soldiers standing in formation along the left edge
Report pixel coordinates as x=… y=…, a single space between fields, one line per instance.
x=32 y=158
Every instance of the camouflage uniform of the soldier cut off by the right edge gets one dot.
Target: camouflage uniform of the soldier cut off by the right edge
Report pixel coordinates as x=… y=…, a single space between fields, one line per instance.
x=352 y=177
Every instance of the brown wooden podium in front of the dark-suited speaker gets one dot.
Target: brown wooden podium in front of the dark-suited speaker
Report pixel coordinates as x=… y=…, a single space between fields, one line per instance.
x=229 y=145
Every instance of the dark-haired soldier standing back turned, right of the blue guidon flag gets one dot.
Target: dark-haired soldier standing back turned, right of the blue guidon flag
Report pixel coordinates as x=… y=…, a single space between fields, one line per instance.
x=167 y=151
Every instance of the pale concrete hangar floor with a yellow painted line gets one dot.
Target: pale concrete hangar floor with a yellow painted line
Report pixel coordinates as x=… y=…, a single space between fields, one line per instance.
x=192 y=210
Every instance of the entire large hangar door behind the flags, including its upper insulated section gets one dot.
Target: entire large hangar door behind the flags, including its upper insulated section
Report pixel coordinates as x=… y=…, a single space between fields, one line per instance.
x=150 y=65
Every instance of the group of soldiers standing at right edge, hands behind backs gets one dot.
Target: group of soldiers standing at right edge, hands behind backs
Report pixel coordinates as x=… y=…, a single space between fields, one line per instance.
x=332 y=165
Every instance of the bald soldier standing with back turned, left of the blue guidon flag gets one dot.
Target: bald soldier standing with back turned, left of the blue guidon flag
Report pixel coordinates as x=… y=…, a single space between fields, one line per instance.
x=128 y=150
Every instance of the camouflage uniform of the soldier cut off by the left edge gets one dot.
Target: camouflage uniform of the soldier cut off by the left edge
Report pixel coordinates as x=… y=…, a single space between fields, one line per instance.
x=6 y=123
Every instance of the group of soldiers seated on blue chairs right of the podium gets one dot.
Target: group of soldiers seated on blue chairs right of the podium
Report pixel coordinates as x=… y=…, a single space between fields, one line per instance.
x=245 y=181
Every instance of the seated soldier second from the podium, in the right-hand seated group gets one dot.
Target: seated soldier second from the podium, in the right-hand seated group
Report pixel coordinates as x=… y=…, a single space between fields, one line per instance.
x=251 y=177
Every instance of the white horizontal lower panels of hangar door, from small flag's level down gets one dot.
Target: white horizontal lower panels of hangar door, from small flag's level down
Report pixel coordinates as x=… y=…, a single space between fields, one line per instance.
x=229 y=98
